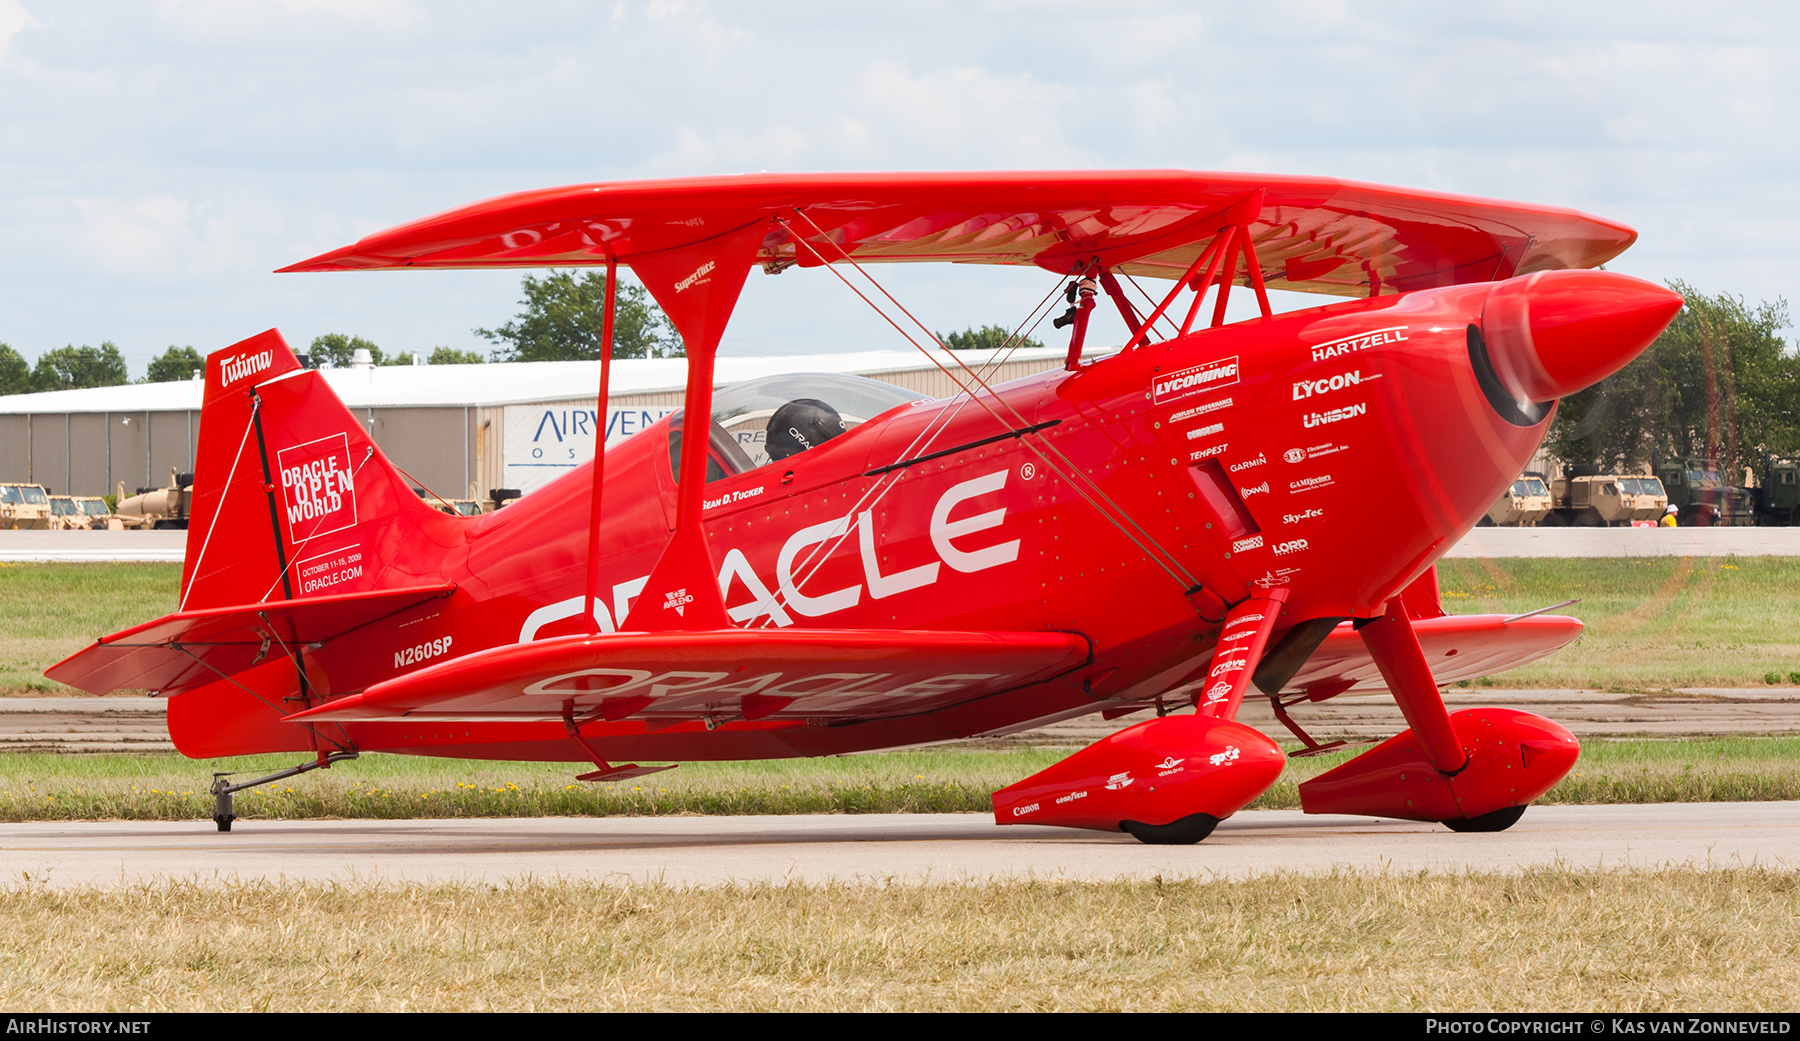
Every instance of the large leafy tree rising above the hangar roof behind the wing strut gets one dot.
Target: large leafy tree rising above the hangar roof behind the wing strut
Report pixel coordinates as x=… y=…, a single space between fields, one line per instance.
x=562 y=323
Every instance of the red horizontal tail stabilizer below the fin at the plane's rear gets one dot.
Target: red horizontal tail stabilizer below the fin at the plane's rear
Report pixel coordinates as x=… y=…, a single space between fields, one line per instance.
x=192 y=649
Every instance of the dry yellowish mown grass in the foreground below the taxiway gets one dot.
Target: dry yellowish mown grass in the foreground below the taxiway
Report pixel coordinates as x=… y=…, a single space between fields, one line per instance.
x=1543 y=939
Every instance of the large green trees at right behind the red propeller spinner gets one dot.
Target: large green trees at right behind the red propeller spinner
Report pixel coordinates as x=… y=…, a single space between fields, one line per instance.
x=1718 y=383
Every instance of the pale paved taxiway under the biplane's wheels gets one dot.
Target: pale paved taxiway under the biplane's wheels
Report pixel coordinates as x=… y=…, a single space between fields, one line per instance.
x=877 y=847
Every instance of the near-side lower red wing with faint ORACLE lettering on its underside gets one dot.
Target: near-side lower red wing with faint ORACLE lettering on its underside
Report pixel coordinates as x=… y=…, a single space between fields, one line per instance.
x=818 y=674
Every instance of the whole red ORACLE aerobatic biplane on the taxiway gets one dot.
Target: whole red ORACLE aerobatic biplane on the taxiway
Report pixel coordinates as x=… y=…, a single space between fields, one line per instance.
x=1167 y=527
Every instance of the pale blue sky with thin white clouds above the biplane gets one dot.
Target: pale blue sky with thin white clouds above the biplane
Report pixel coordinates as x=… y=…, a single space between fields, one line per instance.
x=159 y=159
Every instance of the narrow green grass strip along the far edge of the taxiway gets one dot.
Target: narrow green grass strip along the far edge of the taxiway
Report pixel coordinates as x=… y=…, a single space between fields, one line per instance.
x=35 y=788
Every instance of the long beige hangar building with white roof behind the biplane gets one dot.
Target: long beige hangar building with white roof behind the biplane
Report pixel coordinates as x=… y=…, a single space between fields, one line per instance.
x=451 y=428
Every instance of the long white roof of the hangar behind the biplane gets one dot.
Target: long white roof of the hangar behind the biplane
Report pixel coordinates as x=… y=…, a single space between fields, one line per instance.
x=503 y=383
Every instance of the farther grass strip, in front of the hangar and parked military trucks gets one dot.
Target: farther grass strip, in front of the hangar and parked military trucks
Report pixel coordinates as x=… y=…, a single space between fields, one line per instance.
x=1653 y=624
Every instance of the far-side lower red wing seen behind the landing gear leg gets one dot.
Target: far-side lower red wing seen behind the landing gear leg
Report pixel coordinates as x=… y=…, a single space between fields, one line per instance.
x=1457 y=646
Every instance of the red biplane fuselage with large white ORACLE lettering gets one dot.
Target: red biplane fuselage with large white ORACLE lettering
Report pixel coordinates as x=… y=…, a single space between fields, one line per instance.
x=1335 y=451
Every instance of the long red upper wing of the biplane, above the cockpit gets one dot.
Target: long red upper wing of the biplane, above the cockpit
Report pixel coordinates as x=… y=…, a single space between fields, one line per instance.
x=1313 y=235
